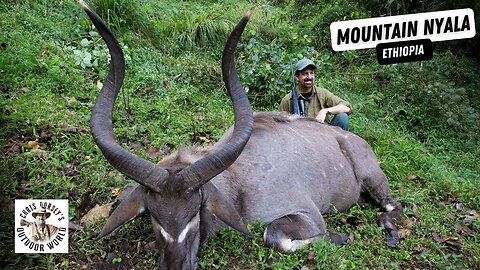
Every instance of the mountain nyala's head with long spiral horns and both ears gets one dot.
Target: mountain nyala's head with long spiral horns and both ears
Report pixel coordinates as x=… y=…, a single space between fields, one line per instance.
x=173 y=192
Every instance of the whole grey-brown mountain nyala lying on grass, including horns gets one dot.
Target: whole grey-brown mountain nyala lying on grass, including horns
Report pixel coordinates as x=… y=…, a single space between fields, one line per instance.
x=273 y=167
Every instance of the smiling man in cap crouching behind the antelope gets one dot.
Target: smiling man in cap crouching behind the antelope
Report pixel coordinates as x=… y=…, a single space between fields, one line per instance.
x=316 y=102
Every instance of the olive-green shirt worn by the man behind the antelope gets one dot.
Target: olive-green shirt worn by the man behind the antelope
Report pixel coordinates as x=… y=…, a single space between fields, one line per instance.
x=320 y=99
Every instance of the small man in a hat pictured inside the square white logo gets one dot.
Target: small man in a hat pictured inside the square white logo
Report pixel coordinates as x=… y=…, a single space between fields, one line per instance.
x=39 y=230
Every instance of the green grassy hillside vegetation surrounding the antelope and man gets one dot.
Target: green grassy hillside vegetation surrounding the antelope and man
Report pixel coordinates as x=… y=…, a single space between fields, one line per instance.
x=421 y=119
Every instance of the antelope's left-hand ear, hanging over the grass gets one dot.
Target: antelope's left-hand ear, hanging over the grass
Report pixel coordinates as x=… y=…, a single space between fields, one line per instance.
x=131 y=206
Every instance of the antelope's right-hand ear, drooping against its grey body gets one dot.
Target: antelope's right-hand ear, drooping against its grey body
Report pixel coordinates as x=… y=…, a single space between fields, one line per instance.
x=222 y=209
